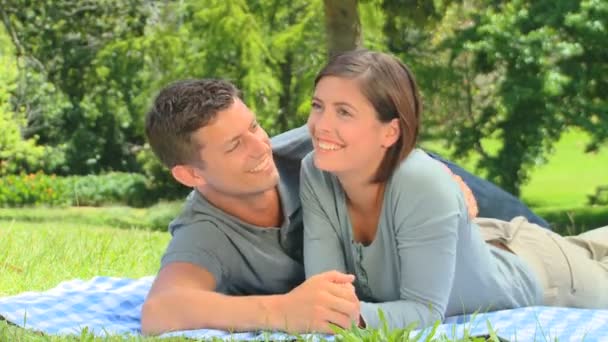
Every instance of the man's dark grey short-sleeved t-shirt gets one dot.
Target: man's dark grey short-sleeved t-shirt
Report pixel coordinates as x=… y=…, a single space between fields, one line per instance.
x=246 y=259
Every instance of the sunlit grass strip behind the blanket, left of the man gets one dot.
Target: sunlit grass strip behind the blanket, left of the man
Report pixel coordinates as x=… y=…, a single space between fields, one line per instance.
x=38 y=256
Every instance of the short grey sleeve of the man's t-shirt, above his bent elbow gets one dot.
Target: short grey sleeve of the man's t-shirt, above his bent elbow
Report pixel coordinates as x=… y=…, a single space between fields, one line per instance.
x=199 y=243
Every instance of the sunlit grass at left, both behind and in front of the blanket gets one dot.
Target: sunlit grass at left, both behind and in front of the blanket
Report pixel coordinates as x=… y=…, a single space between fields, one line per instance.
x=37 y=255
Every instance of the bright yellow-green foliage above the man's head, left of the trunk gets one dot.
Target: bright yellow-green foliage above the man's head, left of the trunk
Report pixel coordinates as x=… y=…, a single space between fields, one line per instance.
x=274 y=64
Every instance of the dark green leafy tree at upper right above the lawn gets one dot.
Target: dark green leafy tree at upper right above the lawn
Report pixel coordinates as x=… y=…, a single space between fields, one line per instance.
x=537 y=66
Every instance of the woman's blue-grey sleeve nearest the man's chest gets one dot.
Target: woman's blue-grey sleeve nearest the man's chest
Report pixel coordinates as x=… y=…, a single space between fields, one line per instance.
x=323 y=250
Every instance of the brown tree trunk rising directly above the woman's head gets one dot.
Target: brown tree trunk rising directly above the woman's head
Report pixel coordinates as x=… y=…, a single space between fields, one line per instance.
x=342 y=26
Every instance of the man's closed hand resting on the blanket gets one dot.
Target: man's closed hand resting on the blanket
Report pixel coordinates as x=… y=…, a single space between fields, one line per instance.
x=321 y=300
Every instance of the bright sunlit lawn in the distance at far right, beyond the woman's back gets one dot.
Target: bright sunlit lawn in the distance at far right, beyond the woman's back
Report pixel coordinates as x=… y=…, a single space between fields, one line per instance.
x=558 y=190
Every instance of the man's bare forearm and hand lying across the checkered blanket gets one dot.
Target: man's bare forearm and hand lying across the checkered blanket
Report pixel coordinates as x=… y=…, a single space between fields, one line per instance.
x=183 y=297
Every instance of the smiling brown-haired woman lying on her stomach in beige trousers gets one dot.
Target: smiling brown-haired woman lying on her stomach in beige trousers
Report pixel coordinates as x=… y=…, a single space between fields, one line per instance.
x=377 y=207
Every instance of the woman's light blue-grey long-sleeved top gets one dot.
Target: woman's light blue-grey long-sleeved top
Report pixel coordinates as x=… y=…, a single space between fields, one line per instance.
x=427 y=261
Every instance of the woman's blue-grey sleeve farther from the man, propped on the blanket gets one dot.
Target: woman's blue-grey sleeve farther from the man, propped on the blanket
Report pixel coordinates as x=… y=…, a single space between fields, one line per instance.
x=426 y=212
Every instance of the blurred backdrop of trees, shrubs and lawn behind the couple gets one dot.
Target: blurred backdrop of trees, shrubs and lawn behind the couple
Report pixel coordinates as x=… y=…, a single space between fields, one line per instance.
x=514 y=90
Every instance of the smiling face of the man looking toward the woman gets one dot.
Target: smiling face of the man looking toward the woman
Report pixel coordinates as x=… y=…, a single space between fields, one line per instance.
x=236 y=153
